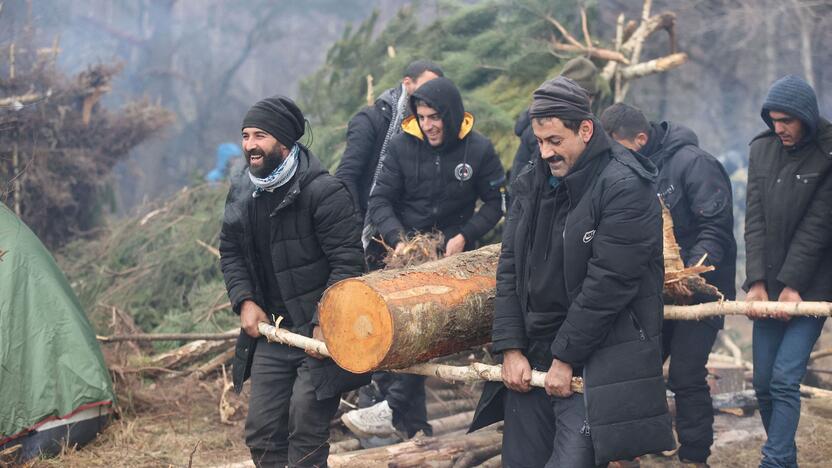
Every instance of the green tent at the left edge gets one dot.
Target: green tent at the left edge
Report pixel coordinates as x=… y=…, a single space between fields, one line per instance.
x=54 y=385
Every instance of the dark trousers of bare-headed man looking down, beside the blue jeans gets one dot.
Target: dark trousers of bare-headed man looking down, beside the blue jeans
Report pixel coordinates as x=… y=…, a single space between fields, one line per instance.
x=688 y=343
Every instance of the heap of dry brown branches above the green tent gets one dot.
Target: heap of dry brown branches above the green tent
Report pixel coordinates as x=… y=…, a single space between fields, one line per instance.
x=58 y=145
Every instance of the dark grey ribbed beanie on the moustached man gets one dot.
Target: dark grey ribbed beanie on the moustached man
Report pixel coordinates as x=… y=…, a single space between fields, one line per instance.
x=560 y=97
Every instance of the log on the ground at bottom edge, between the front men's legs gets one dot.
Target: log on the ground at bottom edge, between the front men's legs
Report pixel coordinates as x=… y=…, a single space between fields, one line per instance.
x=419 y=451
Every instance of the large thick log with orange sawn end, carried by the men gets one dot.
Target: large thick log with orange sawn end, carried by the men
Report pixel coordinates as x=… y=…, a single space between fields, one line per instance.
x=394 y=318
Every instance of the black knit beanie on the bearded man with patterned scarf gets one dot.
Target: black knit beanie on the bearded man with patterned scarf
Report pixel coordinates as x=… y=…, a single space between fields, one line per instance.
x=279 y=116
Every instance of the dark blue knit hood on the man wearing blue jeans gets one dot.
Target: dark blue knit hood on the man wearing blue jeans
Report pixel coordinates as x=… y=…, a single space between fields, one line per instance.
x=792 y=95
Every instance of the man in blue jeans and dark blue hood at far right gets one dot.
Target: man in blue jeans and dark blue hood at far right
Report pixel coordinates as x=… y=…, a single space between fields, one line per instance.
x=788 y=241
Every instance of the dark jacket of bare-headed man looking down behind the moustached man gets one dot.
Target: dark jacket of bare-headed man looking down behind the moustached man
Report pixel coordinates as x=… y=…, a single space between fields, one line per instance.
x=697 y=191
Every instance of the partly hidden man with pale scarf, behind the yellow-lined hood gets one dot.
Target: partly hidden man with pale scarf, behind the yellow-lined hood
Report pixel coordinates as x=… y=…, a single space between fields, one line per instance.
x=368 y=137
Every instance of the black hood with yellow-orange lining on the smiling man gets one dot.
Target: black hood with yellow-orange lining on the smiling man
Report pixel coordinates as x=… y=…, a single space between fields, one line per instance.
x=441 y=94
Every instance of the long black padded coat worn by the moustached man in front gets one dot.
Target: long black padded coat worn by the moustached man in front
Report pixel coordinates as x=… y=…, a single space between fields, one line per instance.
x=613 y=273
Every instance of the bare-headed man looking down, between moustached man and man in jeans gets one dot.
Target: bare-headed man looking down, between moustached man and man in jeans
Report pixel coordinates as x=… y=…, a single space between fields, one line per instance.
x=697 y=191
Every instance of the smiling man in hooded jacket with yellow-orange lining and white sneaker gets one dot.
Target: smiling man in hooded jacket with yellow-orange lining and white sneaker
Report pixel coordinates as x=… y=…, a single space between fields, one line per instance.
x=435 y=172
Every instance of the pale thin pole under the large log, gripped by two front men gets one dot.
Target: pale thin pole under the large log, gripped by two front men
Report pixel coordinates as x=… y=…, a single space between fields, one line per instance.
x=471 y=373
